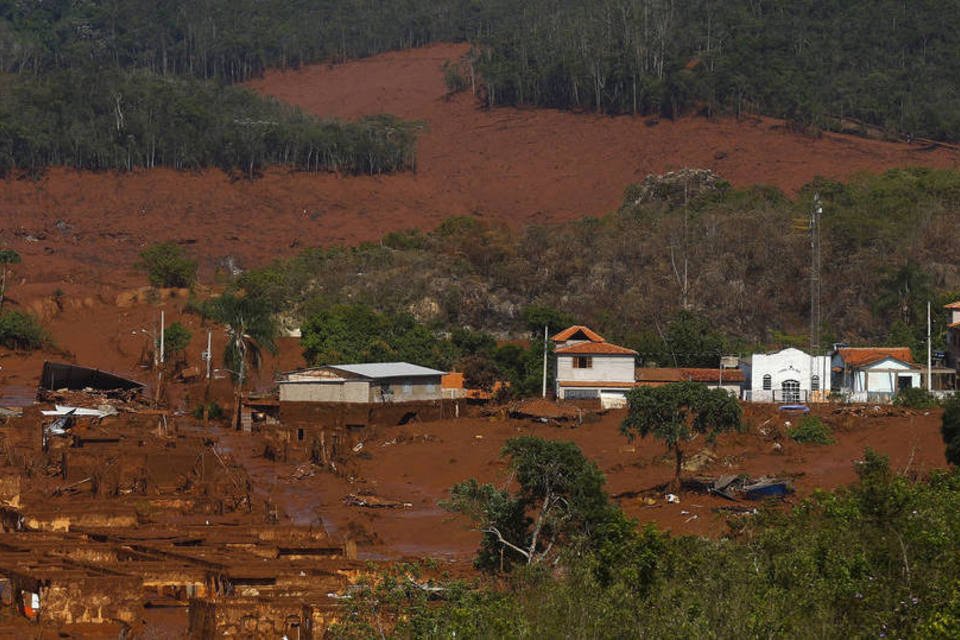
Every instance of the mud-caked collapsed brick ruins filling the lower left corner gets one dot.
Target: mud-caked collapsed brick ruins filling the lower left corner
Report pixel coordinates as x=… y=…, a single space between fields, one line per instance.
x=126 y=523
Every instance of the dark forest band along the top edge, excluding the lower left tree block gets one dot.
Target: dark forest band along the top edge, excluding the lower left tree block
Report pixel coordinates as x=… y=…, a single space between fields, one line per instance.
x=887 y=63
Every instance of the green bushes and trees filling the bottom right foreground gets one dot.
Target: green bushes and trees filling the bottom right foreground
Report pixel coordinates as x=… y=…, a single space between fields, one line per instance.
x=835 y=566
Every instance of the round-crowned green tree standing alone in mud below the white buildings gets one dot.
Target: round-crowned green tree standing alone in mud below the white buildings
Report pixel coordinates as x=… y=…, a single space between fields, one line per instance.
x=677 y=413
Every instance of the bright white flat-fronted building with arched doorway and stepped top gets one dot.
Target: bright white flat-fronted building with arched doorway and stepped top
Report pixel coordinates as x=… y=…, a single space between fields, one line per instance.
x=788 y=376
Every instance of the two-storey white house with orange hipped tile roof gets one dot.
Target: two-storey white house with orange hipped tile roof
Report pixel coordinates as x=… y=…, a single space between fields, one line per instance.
x=590 y=367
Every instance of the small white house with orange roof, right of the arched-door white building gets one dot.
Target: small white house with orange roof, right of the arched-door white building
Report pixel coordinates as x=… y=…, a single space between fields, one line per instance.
x=874 y=374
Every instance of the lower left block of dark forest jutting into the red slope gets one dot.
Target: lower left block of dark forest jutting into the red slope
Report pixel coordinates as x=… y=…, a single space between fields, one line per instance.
x=128 y=119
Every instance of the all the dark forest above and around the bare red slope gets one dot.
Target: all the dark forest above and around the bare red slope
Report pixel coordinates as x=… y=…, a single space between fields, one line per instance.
x=138 y=84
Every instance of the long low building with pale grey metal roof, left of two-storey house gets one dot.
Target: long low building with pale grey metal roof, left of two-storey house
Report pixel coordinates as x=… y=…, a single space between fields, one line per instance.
x=361 y=383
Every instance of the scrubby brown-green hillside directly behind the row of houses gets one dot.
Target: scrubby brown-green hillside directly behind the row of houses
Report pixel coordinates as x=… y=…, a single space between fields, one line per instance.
x=723 y=262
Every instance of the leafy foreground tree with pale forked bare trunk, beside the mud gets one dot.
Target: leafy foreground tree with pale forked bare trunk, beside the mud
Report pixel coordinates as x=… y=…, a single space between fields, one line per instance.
x=560 y=504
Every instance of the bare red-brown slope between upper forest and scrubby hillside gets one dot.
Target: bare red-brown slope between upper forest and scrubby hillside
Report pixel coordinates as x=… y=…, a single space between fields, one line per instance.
x=80 y=231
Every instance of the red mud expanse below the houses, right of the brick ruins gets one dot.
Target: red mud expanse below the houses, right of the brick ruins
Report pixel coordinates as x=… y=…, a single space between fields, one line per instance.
x=418 y=463
